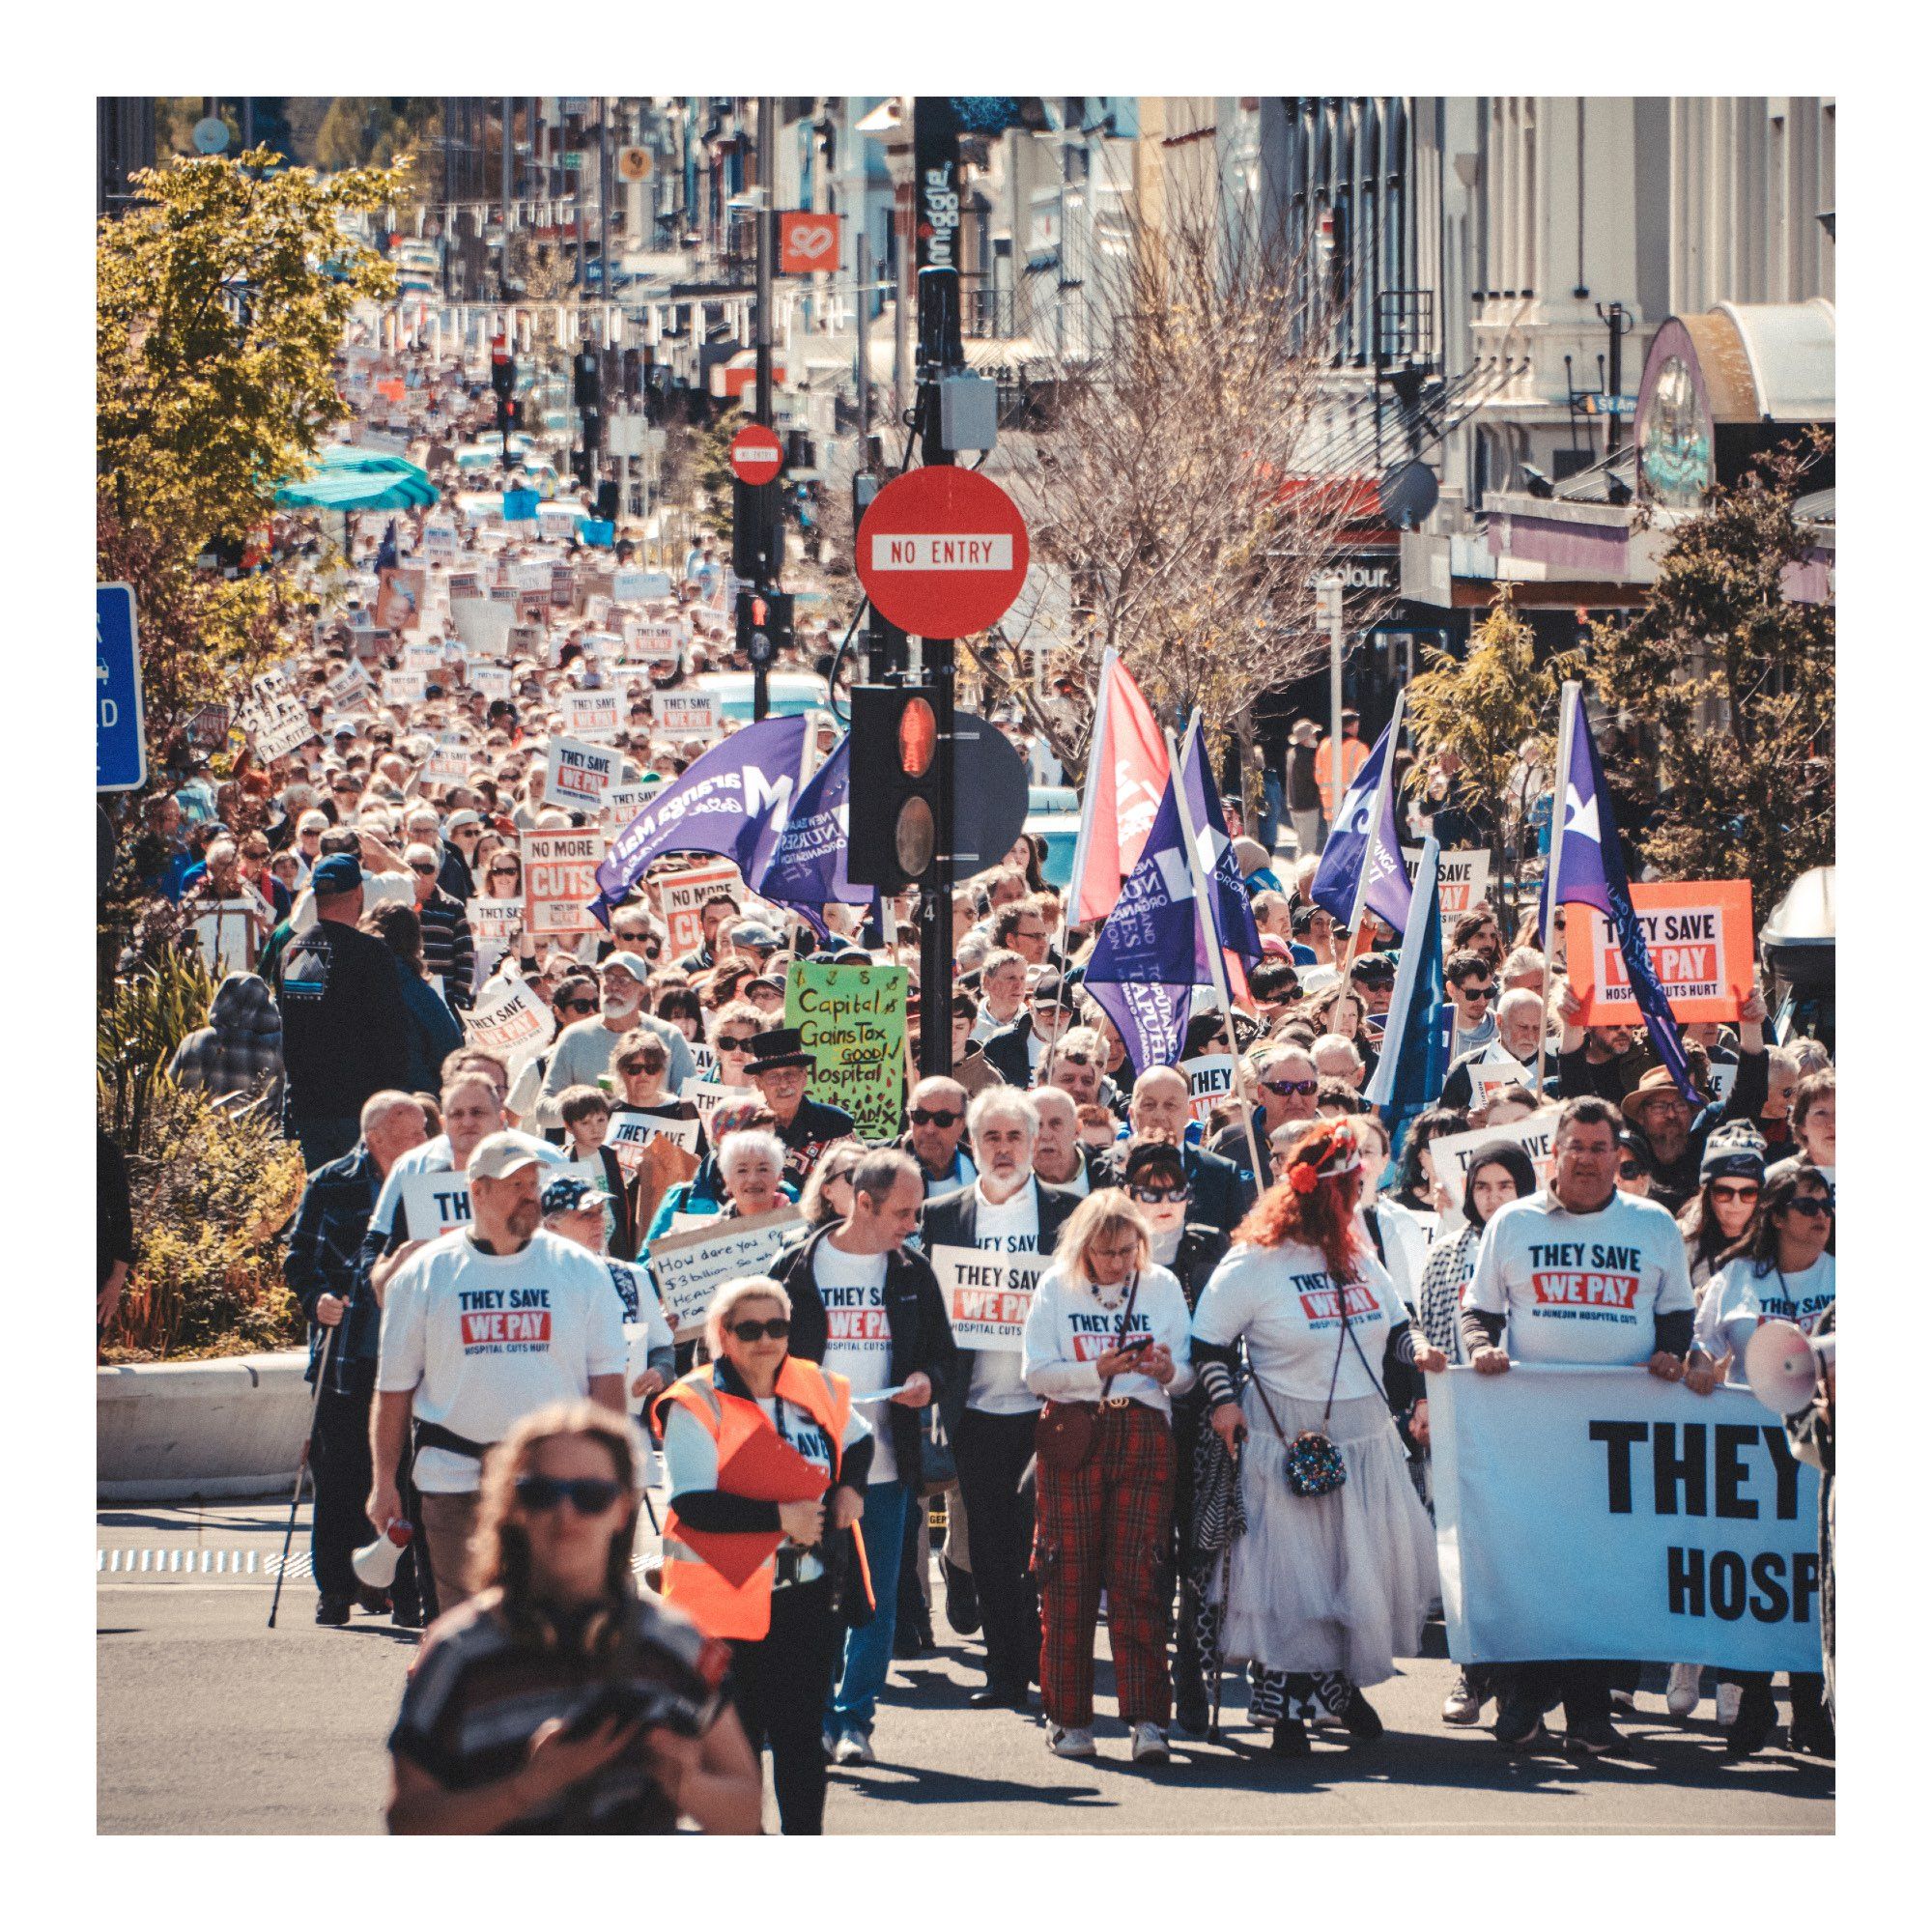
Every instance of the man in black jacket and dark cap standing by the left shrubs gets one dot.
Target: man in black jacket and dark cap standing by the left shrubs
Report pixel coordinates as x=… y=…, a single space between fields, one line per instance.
x=345 y=1025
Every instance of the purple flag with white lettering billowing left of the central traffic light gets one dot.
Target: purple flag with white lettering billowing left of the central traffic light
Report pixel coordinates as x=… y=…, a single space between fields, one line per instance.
x=733 y=801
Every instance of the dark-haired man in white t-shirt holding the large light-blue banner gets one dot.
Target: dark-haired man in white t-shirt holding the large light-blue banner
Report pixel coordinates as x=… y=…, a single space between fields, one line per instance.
x=1579 y=1272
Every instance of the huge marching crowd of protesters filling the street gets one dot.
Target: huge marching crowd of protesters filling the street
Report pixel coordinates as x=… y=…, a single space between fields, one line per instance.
x=1214 y=1425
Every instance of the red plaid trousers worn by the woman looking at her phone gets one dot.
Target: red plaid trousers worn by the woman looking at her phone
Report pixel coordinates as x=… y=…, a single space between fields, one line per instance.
x=1108 y=1525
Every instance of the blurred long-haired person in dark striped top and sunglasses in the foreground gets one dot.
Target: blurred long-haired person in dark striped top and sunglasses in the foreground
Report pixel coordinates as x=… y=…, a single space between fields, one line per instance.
x=559 y=1699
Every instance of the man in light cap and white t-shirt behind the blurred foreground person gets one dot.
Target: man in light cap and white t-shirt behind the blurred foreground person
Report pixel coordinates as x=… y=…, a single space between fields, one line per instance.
x=480 y=1328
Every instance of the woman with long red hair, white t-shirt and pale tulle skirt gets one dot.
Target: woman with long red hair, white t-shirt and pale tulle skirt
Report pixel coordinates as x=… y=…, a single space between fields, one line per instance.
x=1336 y=1568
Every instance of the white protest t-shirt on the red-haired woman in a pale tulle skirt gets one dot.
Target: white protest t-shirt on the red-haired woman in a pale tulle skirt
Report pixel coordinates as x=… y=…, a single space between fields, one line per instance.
x=1290 y=1309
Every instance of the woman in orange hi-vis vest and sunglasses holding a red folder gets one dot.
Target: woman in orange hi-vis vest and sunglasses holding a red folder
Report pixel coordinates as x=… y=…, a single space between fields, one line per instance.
x=768 y=1465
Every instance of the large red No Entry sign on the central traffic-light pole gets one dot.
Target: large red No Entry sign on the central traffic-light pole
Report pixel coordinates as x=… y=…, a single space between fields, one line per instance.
x=942 y=552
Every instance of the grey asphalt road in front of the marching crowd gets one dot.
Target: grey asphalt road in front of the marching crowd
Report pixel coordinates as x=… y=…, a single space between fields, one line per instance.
x=212 y=1722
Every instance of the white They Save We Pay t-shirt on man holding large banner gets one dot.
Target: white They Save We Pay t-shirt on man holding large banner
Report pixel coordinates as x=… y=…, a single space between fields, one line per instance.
x=1581 y=1288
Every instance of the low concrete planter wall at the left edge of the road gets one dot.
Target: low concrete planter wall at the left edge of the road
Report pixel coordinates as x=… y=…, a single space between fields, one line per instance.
x=173 y=1433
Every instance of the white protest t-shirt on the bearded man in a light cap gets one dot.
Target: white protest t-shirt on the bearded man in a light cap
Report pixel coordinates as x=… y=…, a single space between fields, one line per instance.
x=488 y=1338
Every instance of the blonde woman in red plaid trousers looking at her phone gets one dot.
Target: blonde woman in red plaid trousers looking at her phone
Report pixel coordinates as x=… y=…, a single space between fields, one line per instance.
x=1106 y=1346
